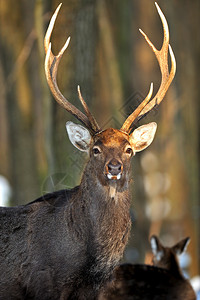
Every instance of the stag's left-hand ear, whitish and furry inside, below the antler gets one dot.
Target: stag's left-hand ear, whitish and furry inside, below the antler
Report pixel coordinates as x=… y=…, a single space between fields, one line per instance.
x=79 y=136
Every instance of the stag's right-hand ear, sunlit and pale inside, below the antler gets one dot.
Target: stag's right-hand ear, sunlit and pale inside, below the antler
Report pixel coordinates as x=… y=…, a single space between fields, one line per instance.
x=142 y=137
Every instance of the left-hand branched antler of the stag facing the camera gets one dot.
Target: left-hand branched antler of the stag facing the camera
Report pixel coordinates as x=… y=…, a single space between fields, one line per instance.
x=51 y=67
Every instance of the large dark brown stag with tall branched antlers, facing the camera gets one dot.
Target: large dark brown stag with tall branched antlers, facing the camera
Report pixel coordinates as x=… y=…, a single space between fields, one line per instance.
x=66 y=244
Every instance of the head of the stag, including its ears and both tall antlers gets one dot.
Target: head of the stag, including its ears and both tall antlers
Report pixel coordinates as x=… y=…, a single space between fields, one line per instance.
x=111 y=149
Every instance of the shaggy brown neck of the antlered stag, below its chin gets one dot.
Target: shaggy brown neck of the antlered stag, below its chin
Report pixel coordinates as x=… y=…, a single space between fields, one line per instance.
x=108 y=208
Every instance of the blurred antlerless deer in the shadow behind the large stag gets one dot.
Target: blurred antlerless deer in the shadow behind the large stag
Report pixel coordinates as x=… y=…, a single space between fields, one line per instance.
x=162 y=280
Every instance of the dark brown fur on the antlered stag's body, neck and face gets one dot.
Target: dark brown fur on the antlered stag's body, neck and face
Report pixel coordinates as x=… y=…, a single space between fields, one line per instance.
x=66 y=244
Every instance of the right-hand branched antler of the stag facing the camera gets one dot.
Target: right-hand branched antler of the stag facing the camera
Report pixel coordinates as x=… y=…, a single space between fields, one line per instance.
x=162 y=57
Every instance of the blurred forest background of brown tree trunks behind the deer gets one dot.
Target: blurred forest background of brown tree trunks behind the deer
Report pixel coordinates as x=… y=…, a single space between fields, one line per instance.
x=114 y=66
